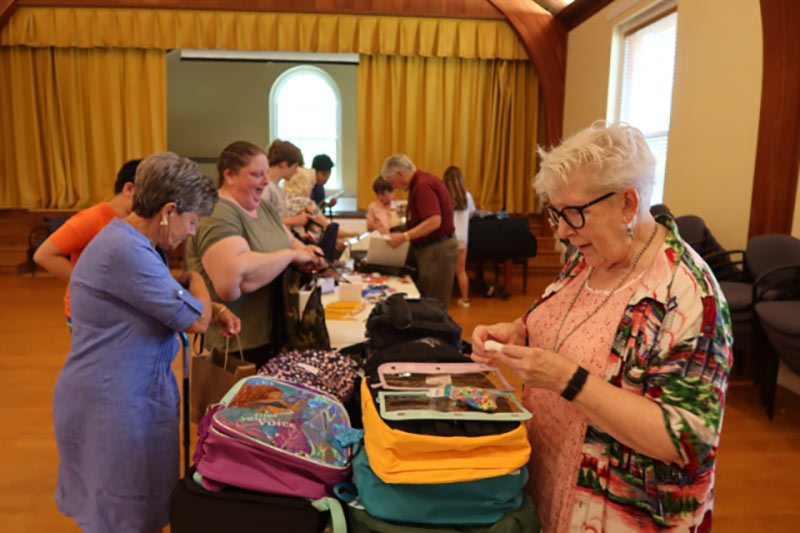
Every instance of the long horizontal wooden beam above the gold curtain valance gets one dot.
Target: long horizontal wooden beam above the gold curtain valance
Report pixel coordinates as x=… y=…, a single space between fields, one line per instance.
x=481 y=9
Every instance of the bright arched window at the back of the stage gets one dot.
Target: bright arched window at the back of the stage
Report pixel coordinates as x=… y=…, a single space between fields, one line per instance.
x=304 y=108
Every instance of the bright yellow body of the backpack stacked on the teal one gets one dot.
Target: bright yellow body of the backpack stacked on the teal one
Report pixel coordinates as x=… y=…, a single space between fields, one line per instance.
x=399 y=457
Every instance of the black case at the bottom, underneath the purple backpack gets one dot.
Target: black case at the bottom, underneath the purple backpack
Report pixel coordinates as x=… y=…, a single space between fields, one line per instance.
x=196 y=510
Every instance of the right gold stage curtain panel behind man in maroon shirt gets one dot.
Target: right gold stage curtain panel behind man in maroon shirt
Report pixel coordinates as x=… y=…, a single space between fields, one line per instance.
x=479 y=115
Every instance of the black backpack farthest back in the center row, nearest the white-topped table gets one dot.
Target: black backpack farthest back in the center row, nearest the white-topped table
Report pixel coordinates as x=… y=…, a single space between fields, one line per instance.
x=397 y=319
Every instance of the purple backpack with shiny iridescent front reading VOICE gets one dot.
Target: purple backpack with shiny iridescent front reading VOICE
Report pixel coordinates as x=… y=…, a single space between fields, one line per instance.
x=276 y=437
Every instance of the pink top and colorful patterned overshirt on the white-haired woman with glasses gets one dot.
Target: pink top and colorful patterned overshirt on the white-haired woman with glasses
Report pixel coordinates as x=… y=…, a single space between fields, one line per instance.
x=665 y=336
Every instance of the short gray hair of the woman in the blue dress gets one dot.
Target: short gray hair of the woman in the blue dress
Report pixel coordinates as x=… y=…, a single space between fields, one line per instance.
x=166 y=177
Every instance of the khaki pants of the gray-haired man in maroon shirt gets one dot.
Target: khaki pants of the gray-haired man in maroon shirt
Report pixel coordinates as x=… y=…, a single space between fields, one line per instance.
x=436 y=265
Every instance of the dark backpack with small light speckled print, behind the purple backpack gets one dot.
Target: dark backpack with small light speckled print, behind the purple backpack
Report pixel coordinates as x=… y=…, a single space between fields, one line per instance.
x=328 y=371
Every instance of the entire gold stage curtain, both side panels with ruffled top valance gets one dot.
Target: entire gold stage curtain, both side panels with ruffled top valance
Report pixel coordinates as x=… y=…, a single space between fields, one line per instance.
x=83 y=89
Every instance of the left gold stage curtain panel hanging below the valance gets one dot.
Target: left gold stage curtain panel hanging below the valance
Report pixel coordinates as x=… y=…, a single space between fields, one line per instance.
x=70 y=117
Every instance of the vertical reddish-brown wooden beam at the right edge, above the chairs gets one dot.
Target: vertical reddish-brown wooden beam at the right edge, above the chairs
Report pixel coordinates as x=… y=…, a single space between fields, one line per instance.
x=778 y=151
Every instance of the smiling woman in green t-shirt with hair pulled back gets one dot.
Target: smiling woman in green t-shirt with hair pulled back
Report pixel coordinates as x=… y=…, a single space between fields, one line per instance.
x=243 y=246
